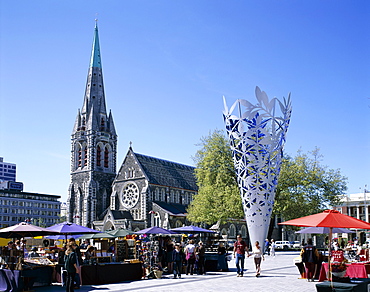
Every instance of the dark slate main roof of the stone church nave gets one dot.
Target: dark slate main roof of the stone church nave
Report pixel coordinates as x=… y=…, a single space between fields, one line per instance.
x=168 y=173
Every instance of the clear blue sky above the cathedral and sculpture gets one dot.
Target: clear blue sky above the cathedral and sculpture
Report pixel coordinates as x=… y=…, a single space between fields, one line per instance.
x=166 y=66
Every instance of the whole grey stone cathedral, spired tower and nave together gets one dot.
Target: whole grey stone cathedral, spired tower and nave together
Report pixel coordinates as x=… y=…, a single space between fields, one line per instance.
x=146 y=191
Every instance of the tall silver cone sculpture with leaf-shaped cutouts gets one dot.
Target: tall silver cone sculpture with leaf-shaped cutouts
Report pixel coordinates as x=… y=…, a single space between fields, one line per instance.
x=257 y=136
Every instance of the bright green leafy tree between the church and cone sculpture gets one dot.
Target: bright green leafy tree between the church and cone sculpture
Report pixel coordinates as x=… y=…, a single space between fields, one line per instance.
x=218 y=195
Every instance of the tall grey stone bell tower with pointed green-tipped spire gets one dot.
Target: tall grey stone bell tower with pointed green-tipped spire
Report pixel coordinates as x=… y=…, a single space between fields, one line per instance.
x=93 y=149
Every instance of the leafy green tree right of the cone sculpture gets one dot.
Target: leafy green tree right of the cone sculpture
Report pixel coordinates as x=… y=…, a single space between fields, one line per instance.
x=306 y=186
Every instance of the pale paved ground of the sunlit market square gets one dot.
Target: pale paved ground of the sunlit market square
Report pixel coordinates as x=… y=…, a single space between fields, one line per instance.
x=279 y=274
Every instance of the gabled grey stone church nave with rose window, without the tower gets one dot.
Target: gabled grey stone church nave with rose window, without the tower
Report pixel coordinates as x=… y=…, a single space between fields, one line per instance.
x=153 y=191
